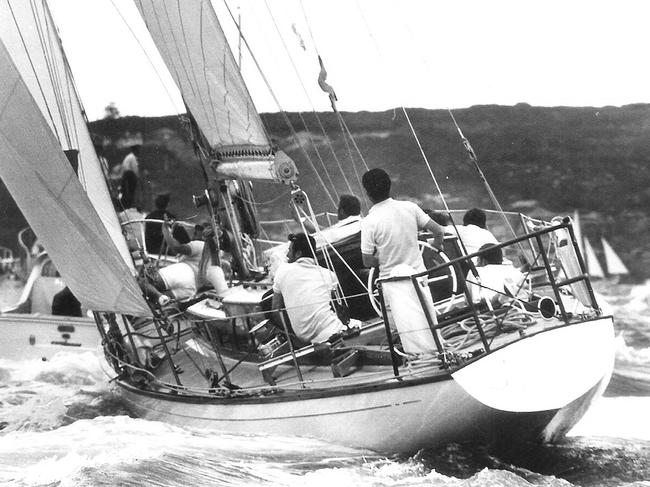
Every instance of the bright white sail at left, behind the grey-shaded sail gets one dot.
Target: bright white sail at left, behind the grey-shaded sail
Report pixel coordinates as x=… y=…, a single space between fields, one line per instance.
x=32 y=41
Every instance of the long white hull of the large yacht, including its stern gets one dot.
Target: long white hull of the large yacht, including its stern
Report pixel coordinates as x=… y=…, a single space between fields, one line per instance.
x=415 y=413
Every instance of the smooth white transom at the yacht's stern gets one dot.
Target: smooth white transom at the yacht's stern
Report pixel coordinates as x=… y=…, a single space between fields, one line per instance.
x=546 y=371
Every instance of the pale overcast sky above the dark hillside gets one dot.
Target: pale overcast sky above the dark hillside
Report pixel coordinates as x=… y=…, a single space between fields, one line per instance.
x=381 y=54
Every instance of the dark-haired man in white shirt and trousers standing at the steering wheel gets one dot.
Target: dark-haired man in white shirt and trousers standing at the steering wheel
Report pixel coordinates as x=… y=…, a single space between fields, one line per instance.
x=389 y=239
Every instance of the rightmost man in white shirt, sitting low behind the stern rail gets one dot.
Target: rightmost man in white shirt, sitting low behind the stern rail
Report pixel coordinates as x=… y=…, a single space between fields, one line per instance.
x=498 y=281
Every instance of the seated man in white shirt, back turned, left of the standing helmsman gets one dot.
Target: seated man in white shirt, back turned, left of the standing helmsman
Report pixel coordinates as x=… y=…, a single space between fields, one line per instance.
x=305 y=289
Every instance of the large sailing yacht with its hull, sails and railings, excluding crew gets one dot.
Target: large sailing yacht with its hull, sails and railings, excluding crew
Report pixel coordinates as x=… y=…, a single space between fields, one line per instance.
x=521 y=369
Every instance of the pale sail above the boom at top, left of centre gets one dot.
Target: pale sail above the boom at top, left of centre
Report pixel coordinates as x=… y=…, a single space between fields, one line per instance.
x=196 y=52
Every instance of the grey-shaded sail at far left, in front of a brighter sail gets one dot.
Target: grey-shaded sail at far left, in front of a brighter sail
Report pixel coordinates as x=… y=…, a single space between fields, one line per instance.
x=46 y=189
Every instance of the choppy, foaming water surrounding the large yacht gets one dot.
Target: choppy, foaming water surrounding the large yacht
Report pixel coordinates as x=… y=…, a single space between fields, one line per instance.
x=62 y=425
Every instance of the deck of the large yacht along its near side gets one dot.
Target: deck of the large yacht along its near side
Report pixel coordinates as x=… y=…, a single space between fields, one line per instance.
x=200 y=369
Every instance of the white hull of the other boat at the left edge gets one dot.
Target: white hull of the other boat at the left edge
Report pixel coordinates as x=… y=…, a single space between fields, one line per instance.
x=26 y=336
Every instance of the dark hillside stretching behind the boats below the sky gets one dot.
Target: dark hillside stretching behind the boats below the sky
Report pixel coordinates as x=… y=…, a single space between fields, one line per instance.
x=538 y=159
